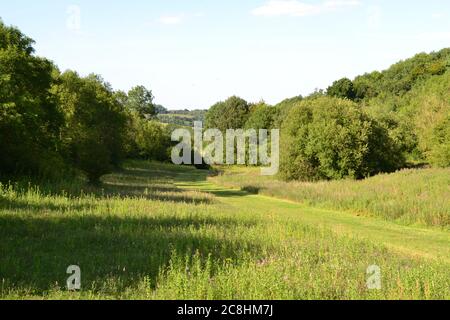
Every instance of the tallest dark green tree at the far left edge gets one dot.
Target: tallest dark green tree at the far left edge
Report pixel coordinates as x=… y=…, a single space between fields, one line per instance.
x=29 y=118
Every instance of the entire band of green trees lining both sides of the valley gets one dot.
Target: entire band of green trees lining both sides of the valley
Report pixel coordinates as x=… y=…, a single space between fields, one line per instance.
x=54 y=123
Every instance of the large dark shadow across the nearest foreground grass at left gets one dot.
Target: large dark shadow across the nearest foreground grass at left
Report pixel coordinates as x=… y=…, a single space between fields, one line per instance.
x=36 y=252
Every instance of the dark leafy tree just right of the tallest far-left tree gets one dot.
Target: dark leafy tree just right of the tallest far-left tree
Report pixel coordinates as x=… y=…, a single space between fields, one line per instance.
x=93 y=137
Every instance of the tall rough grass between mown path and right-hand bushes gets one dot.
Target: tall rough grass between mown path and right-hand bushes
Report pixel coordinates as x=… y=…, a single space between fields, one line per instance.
x=410 y=197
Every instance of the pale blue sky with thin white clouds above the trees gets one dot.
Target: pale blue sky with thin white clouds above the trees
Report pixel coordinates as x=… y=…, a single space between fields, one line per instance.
x=194 y=53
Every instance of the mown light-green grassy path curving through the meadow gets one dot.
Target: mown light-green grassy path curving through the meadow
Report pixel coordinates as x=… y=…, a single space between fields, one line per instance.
x=412 y=241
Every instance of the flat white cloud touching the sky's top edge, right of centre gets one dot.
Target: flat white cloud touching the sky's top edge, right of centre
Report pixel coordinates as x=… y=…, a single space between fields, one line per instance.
x=300 y=9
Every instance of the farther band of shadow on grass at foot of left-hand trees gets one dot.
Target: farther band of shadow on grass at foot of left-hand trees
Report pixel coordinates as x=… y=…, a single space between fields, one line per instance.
x=144 y=180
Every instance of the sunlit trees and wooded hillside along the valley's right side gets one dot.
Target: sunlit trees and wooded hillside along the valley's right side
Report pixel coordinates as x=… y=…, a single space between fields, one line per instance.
x=378 y=122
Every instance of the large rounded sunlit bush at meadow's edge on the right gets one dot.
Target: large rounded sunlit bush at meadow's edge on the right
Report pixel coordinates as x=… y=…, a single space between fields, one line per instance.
x=331 y=138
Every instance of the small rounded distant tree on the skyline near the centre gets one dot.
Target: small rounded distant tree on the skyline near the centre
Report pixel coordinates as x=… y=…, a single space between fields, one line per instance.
x=230 y=114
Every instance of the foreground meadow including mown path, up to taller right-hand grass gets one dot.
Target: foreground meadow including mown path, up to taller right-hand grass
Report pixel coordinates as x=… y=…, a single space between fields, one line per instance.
x=156 y=231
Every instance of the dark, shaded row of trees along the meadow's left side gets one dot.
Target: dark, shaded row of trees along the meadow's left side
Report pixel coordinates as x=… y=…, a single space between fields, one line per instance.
x=54 y=123
